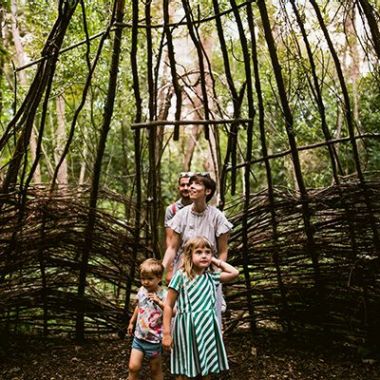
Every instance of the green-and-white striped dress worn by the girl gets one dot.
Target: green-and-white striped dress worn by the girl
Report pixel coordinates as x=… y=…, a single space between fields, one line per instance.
x=198 y=343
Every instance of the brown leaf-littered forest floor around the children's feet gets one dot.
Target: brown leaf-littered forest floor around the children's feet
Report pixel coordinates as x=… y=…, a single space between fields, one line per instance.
x=266 y=356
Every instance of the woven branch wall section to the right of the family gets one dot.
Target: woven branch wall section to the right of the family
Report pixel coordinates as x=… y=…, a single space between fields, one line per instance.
x=340 y=294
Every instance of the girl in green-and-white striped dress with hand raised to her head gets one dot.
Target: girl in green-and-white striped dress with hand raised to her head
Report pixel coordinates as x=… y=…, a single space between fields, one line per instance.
x=197 y=344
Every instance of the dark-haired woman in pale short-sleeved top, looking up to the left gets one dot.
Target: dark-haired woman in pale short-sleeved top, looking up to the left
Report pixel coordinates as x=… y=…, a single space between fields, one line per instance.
x=198 y=219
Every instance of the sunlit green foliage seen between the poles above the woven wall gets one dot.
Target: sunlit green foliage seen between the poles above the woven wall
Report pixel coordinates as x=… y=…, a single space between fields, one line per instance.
x=35 y=20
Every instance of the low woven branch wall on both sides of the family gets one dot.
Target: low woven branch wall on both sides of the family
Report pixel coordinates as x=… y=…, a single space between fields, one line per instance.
x=341 y=296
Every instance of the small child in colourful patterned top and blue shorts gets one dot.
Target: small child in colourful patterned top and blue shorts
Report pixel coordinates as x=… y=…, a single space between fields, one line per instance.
x=146 y=321
